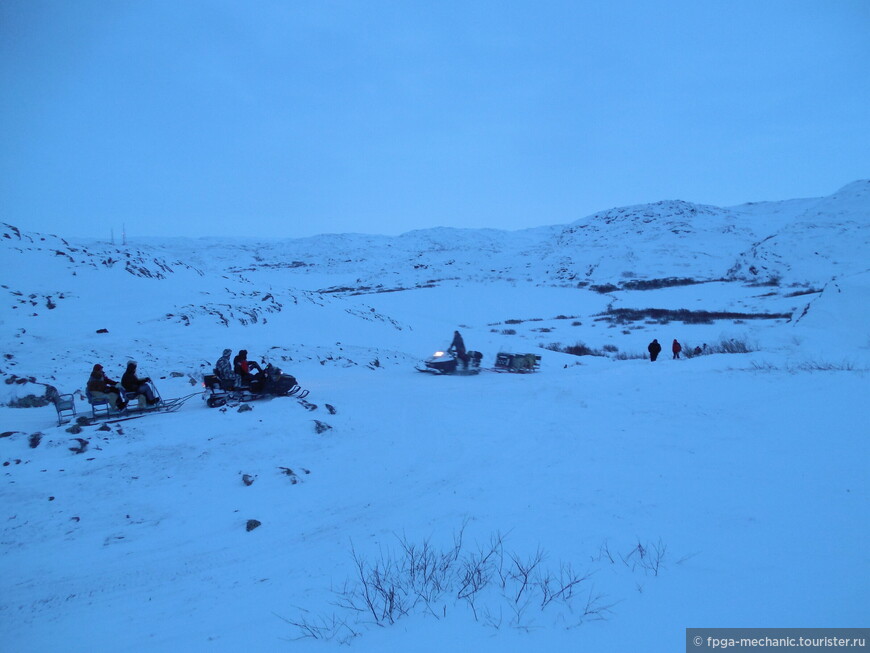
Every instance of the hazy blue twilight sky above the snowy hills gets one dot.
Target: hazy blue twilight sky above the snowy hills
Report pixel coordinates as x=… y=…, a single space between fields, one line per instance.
x=301 y=117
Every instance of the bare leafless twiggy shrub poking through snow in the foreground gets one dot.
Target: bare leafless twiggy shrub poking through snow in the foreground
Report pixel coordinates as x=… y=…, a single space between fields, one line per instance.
x=500 y=588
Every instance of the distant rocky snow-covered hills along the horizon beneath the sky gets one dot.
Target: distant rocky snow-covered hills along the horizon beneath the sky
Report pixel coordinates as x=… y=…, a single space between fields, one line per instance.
x=805 y=241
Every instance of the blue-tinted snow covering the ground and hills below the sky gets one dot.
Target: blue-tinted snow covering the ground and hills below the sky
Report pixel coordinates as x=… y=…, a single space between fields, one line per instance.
x=728 y=489
